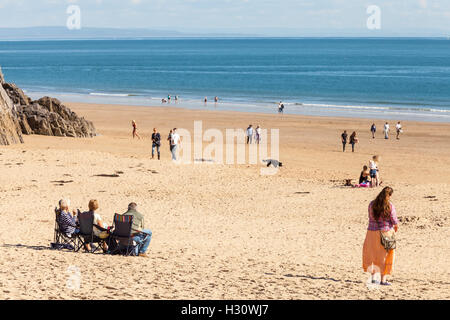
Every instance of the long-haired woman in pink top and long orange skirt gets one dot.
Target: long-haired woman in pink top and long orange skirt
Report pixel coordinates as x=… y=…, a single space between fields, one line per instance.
x=383 y=225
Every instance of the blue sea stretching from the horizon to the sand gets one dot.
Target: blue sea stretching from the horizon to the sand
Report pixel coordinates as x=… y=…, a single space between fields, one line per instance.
x=381 y=78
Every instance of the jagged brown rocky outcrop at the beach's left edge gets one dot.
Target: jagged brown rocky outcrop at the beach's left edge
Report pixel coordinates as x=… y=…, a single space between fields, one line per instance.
x=46 y=116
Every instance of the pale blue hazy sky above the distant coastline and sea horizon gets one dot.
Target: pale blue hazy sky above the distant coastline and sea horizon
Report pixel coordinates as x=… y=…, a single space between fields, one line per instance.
x=272 y=17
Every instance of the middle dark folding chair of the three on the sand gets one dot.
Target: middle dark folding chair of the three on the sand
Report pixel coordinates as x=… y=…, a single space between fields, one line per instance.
x=86 y=234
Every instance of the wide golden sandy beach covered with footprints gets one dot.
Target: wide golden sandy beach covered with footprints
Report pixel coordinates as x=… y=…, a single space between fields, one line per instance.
x=225 y=231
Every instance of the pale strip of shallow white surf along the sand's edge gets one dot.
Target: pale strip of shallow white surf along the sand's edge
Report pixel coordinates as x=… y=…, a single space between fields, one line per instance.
x=425 y=114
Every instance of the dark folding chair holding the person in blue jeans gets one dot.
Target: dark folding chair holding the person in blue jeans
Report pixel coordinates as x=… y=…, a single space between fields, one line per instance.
x=121 y=240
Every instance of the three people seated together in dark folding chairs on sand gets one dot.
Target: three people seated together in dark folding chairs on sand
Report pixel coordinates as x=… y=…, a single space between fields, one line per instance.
x=82 y=230
